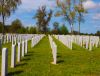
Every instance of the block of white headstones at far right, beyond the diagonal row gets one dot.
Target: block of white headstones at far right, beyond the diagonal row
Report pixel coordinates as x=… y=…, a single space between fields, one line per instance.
x=87 y=42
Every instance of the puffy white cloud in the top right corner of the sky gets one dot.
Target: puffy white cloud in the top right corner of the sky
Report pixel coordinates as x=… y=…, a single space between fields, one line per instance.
x=90 y=4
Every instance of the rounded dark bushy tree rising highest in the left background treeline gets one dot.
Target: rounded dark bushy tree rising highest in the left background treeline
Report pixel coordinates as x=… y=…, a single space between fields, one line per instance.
x=16 y=25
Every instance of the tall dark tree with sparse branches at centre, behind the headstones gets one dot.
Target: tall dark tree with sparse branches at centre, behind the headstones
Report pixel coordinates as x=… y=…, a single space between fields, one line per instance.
x=43 y=18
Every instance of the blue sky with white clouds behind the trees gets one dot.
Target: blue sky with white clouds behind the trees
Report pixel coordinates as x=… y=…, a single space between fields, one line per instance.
x=28 y=8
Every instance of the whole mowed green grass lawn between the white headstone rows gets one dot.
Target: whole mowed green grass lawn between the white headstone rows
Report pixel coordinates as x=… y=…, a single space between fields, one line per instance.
x=76 y=62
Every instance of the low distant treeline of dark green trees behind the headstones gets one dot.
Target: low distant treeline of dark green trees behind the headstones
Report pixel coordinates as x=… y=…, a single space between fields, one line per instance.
x=17 y=27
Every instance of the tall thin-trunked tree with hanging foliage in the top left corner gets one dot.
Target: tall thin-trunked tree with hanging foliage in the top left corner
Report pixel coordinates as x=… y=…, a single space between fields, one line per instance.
x=6 y=7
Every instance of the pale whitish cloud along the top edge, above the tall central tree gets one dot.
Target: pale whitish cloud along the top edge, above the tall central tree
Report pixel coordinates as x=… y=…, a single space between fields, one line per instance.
x=29 y=5
